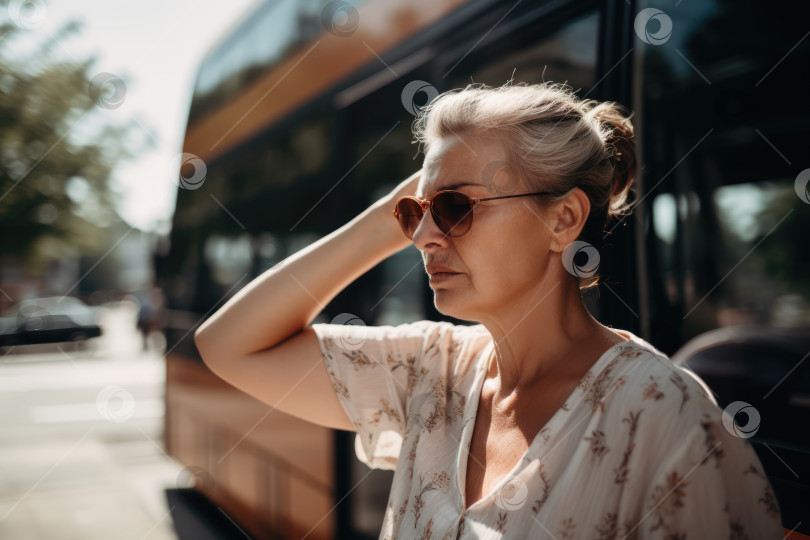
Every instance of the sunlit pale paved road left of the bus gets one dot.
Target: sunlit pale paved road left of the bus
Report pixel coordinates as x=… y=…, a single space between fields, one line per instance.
x=81 y=451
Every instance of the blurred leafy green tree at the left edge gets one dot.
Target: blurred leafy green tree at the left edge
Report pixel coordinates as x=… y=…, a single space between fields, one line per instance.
x=54 y=189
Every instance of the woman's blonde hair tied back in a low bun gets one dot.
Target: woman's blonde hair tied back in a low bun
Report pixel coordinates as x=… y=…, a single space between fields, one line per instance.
x=552 y=140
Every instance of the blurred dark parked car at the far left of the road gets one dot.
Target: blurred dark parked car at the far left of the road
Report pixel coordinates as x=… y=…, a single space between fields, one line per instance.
x=50 y=320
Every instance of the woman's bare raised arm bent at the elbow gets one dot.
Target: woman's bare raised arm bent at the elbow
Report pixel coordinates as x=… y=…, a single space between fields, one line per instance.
x=259 y=341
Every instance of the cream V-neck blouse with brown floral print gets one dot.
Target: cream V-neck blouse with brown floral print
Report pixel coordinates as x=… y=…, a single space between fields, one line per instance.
x=638 y=450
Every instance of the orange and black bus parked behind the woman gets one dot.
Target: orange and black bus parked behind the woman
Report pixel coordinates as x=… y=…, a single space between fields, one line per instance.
x=301 y=118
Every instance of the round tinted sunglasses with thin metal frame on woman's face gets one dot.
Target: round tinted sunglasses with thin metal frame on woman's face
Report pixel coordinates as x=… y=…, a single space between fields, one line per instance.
x=451 y=211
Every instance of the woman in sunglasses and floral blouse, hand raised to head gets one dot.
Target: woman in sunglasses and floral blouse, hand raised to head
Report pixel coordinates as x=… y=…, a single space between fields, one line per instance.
x=539 y=422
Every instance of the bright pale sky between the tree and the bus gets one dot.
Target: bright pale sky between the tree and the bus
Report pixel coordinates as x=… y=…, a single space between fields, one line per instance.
x=155 y=47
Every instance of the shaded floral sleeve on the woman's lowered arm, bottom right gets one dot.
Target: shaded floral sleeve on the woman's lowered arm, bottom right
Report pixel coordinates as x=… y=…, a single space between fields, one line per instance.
x=712 y=485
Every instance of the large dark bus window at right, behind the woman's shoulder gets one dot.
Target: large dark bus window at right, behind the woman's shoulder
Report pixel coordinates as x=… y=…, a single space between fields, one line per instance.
x=720 y=165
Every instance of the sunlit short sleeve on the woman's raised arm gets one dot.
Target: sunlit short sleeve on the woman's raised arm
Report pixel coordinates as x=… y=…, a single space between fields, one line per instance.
x=374 y=370
